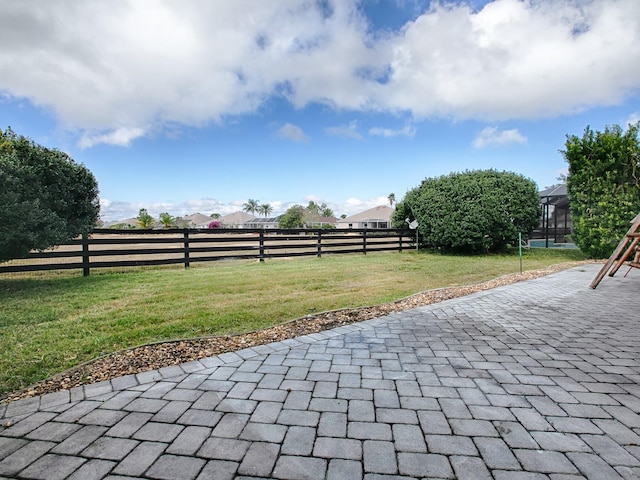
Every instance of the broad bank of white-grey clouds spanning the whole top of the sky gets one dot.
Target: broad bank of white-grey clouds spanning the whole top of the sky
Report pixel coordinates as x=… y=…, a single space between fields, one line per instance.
x=124 y=66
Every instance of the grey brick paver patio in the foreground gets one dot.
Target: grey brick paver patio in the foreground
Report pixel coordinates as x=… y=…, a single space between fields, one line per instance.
x=535 y=380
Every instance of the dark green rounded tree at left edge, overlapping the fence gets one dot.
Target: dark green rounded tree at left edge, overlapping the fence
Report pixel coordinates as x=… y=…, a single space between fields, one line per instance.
x=45 y=197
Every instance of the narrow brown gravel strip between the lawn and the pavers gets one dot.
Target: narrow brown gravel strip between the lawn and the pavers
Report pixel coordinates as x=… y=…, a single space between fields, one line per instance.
x=157 y=355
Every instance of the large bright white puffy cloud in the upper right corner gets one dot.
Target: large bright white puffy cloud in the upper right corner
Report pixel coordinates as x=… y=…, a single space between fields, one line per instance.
x=515 y=59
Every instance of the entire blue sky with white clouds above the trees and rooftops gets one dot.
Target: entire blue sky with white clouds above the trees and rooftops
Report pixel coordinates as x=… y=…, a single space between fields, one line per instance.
x=200 y=105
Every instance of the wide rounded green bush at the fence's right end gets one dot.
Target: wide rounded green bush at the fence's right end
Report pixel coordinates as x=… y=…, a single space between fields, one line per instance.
x=474 y=211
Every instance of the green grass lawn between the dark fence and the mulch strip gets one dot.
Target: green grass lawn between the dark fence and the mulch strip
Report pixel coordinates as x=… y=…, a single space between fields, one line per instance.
x=51 y=323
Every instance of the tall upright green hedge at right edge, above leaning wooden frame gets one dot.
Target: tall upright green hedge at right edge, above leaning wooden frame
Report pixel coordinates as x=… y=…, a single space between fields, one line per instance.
x=603 y=186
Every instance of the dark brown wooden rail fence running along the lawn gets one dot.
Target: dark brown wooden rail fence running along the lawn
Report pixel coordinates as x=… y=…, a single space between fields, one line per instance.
x=106 y=248
